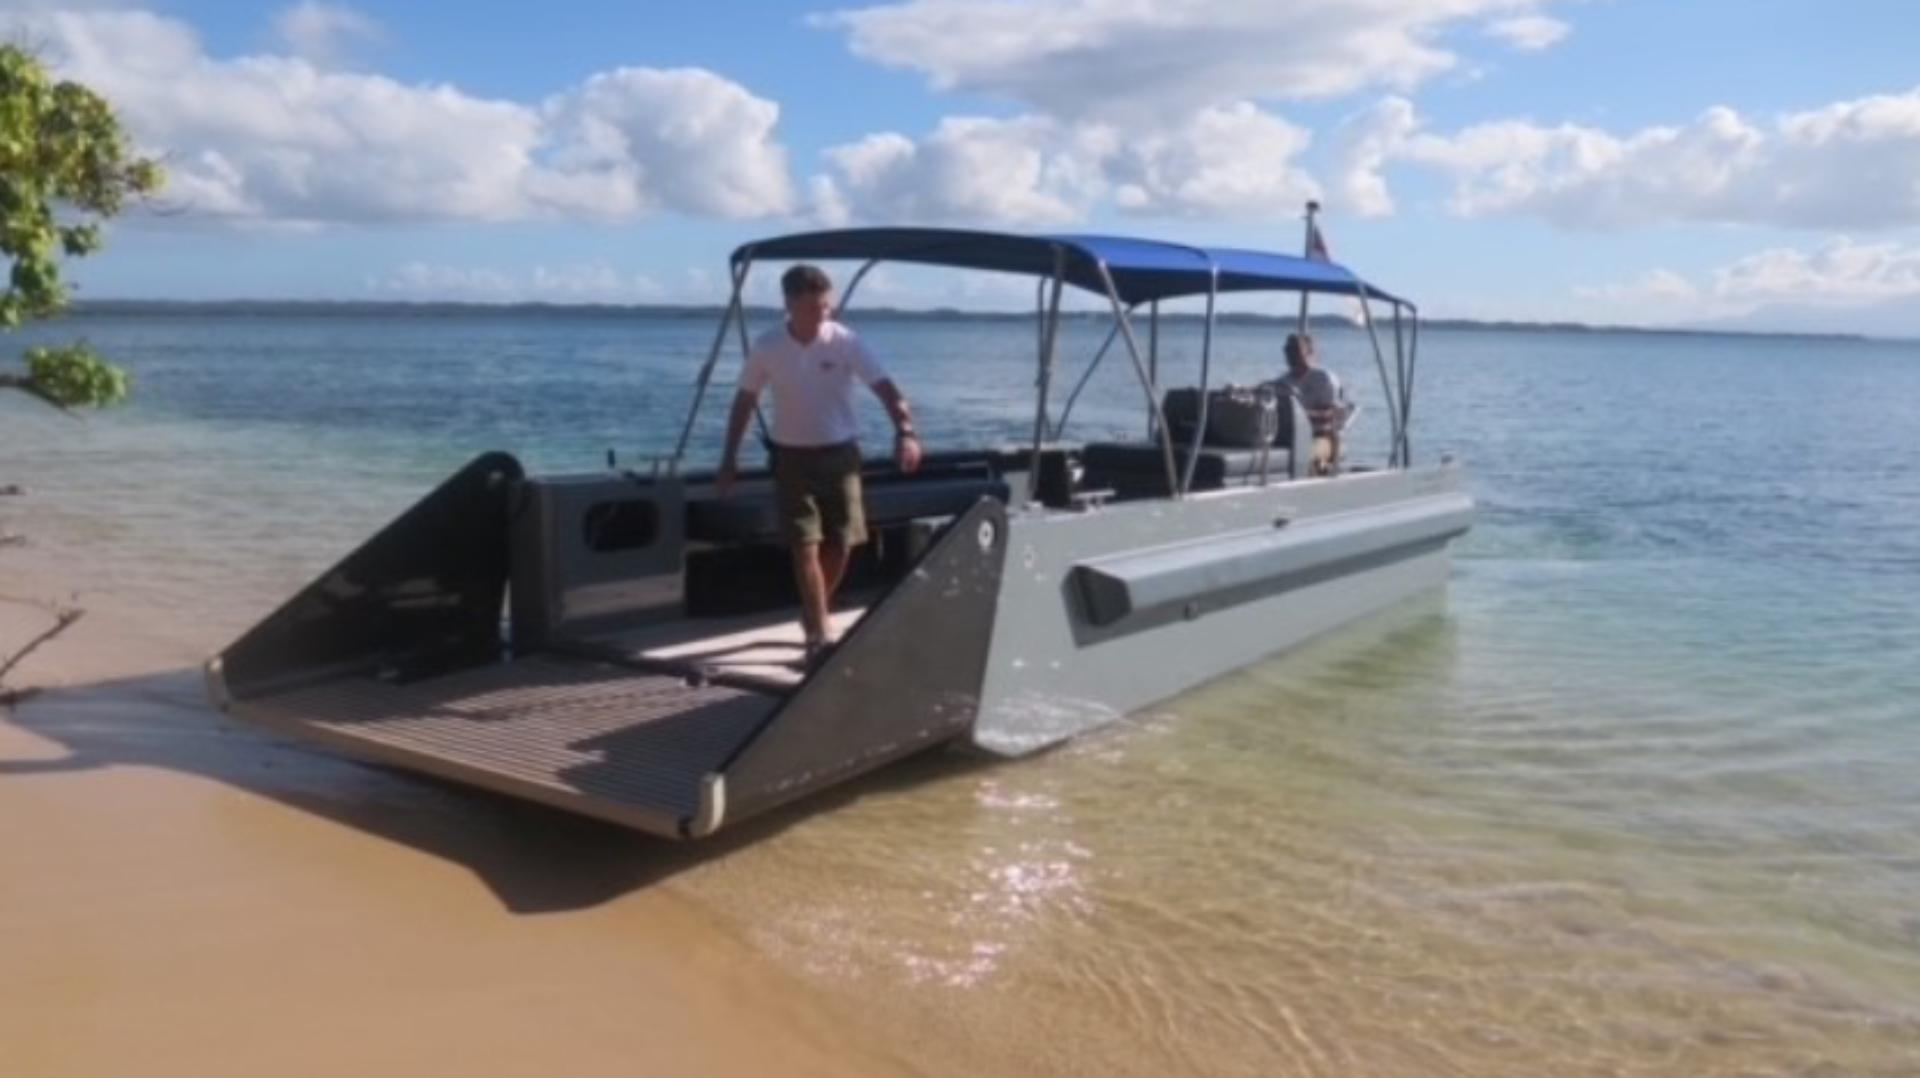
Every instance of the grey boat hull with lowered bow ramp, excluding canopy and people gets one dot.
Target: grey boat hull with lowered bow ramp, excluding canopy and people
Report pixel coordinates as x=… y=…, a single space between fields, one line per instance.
x=1015 y=629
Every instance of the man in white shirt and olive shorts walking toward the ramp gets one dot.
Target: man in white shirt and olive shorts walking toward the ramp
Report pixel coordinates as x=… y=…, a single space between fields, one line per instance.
x=811 y=362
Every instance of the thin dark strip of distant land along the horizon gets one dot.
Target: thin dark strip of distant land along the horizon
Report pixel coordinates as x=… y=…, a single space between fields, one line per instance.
x=706 y=312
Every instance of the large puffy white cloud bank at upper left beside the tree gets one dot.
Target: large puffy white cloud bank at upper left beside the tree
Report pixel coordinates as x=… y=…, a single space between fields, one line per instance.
x=277 y=139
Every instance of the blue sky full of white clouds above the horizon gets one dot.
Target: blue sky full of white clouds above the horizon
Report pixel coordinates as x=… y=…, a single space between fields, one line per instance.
x=1752 y=164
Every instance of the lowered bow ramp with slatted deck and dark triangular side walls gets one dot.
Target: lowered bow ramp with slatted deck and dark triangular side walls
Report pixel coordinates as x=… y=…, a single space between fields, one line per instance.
x=675 y=727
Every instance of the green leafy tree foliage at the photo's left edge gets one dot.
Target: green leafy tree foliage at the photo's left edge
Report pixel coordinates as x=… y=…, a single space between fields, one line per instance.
x=66 y=166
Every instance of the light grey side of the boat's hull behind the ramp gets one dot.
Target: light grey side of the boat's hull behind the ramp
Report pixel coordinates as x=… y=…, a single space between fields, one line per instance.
x=1053 y=674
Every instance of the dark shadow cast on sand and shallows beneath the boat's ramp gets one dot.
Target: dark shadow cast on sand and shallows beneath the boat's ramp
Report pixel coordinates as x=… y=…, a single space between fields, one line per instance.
x=533 y=858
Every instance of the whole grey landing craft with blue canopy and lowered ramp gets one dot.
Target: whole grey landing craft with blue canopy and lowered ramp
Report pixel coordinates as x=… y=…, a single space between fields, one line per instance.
x=621 y=643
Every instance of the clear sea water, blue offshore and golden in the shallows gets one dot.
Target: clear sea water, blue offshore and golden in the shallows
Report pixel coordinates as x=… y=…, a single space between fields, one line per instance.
x=1639 y=795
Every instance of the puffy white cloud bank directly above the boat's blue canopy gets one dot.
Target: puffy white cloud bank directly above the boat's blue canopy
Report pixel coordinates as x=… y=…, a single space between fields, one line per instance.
x=1036 y=172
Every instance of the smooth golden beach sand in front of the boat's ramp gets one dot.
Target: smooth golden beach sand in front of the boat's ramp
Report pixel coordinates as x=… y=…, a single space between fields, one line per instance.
x=187 y=896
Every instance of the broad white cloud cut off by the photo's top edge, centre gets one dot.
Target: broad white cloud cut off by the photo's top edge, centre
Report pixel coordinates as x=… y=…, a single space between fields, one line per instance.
x=1128 y=57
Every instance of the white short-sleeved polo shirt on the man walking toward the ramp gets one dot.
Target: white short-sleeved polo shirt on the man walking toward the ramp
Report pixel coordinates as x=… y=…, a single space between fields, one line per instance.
x=813 y=383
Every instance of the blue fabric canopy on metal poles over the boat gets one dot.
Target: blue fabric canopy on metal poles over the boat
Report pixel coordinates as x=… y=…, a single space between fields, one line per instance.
x=1141 y=270
